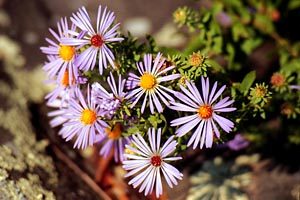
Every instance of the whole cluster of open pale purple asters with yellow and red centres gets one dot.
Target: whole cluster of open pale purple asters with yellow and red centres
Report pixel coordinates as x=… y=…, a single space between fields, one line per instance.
x=95 y=102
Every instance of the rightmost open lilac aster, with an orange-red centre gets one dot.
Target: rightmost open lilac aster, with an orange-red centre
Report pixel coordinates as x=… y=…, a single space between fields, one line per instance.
x=205 y=113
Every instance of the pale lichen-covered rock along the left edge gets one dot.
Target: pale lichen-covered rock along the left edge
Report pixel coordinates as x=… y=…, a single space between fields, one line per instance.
x=26 y=172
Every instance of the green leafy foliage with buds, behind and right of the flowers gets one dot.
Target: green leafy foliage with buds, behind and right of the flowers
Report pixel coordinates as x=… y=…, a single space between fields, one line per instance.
x=221 y=41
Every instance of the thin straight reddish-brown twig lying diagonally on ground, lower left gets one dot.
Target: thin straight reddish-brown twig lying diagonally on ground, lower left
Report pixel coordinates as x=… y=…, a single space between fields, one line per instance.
x=84 y=176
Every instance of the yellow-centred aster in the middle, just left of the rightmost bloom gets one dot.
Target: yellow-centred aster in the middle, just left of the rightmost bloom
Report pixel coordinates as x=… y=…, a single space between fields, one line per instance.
x=149 y=83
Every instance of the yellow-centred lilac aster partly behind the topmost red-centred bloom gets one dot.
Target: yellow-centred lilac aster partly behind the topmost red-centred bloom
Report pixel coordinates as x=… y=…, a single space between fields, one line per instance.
x=61 y=57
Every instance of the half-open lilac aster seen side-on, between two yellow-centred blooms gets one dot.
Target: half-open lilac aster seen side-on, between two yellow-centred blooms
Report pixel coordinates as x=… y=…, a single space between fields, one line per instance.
x=109 y=102
